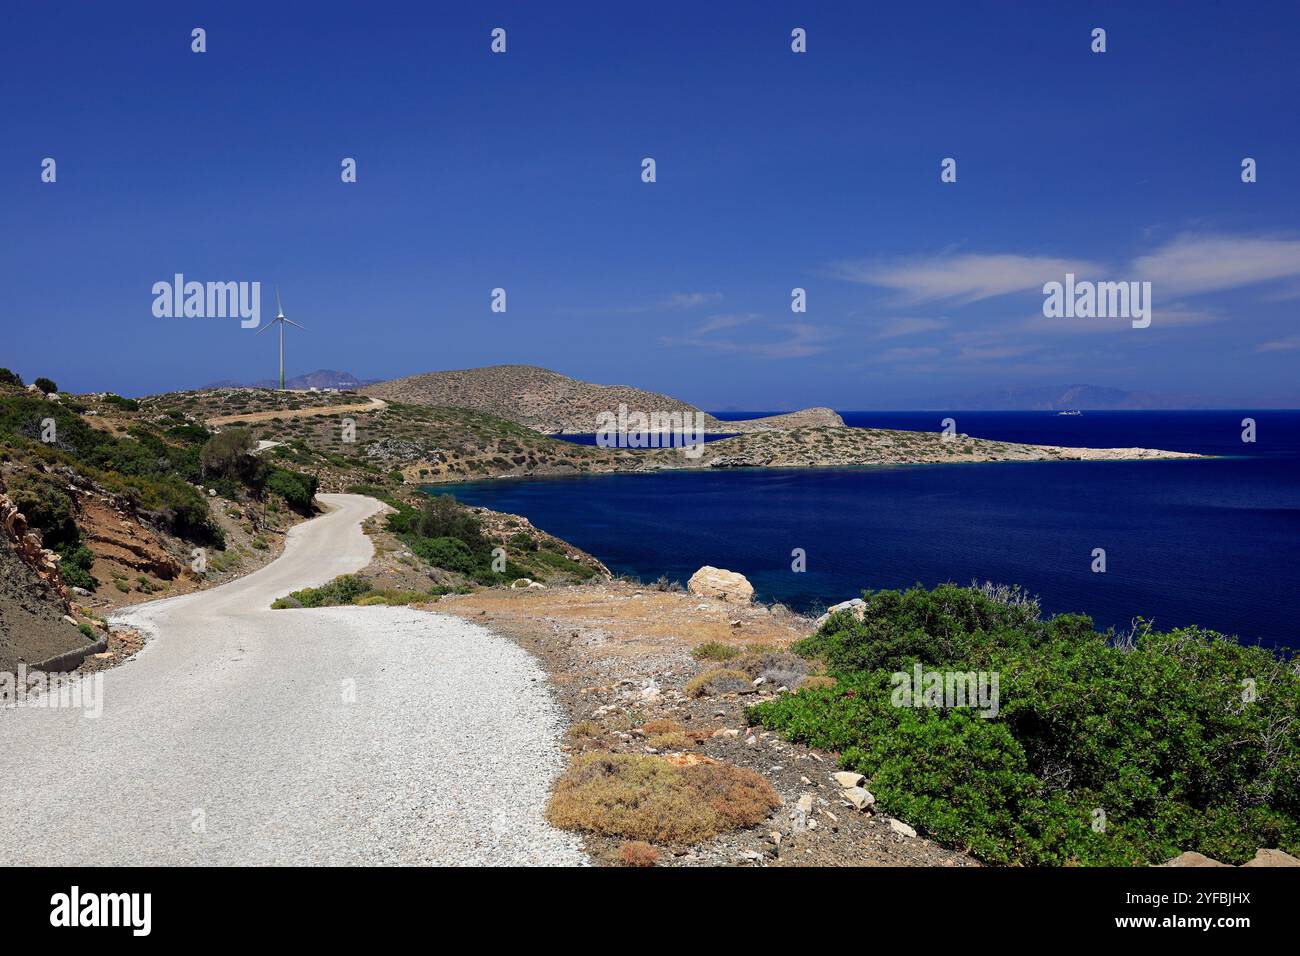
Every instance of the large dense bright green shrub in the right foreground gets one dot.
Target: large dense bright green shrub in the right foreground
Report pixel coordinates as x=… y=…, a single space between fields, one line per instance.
x=1155 y=734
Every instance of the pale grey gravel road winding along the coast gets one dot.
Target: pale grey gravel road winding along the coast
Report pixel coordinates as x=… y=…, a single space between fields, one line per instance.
x=249 y=737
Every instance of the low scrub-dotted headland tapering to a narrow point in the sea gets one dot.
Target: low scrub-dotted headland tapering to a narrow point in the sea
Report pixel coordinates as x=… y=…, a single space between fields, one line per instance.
x=400 y=445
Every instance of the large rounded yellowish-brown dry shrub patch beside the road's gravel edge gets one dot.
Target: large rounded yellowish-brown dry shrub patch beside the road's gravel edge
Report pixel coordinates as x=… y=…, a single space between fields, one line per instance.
x=648 y=798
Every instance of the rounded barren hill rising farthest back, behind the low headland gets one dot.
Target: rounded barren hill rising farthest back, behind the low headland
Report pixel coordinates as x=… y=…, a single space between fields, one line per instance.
x=554 y=404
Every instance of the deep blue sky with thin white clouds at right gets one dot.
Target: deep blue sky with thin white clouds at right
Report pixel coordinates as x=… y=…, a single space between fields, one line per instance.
x=775 y=171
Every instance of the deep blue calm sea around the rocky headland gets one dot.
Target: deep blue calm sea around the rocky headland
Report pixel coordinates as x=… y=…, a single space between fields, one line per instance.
x=1212 y=543
